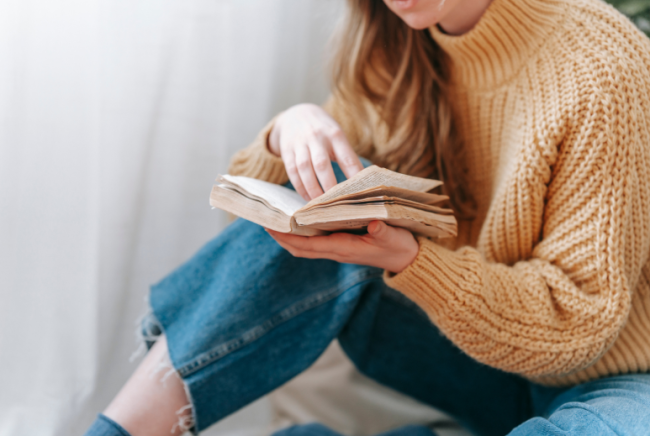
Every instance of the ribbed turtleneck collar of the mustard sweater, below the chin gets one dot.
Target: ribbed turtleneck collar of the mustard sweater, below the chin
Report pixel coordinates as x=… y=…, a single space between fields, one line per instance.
x=497 y=47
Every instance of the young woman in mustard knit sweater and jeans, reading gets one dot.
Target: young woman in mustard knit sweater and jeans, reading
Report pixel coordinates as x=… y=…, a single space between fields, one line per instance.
x=536 y=114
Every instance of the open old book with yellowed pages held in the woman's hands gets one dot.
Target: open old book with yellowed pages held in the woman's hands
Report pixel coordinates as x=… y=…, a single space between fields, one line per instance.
x=372 y=194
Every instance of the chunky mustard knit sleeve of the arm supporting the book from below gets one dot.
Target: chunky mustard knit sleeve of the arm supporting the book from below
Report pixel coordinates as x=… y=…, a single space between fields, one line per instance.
x=561 y=309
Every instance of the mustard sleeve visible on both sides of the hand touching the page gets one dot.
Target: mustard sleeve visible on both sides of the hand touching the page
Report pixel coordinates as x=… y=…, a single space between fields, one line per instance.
x=258 y=162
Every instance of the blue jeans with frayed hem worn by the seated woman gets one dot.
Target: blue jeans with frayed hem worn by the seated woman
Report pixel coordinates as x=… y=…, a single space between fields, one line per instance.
x=243 y=316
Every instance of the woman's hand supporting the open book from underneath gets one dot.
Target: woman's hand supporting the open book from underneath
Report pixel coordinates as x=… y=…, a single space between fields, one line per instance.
x=386 y=247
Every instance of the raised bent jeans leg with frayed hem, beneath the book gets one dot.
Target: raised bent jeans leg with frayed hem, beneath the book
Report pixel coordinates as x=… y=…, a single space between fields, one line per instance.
x=244 y=316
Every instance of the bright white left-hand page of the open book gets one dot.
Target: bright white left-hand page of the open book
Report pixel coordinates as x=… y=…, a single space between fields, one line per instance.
x=278 y=197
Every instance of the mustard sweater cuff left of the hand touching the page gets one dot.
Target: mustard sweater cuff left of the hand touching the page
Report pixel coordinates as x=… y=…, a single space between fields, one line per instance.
x=258 y=162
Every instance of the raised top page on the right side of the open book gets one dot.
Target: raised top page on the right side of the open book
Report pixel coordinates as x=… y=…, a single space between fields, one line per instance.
x=372 y=177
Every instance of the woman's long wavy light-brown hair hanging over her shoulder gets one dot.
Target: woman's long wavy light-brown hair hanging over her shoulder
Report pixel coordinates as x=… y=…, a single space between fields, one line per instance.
x=401 y=73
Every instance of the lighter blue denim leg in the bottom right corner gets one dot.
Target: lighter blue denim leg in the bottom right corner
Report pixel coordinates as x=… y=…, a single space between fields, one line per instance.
x=614 y=406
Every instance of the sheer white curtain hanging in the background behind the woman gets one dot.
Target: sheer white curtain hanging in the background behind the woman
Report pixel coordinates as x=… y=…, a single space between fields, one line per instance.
x=115 y=118
